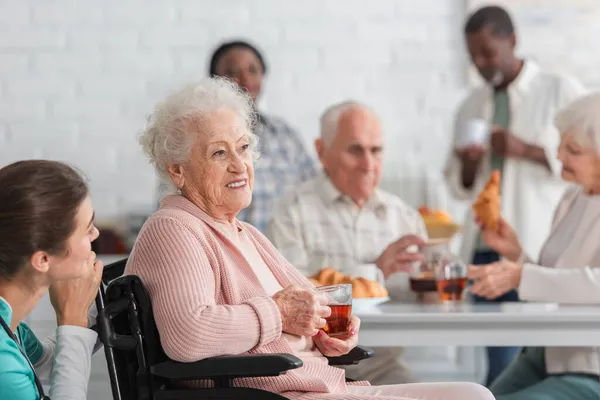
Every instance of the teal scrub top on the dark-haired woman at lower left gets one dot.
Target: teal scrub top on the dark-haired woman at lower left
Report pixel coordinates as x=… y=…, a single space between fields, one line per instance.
x=16 y=375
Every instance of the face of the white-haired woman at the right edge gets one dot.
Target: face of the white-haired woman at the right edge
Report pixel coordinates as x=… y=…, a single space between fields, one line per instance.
x=580 y=164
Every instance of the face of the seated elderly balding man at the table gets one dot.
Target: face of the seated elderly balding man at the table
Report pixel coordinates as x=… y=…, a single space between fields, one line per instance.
x=353 y=160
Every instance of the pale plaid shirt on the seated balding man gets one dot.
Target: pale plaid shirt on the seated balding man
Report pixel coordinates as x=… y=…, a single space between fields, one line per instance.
x=315 y=226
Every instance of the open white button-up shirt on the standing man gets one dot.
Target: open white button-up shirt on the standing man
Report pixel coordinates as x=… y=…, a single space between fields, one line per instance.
x=530 y=192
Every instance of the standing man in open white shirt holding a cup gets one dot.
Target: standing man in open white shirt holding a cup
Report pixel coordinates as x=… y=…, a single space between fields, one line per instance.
x=519 y=101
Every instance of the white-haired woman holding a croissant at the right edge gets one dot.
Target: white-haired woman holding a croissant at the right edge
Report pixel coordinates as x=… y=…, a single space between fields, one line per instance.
x=567 y=271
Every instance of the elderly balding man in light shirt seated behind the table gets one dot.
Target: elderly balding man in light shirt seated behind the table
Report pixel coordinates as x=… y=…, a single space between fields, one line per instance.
x=342 y=220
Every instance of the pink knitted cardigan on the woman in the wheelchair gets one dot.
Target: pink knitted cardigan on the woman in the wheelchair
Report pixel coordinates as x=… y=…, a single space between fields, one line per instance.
x=208 y=302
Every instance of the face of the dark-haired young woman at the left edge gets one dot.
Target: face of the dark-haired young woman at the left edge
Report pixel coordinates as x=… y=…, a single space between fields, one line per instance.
x=78 y=245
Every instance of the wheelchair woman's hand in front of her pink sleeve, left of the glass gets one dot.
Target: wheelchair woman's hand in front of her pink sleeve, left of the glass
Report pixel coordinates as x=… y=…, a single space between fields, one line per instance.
x=303 y=311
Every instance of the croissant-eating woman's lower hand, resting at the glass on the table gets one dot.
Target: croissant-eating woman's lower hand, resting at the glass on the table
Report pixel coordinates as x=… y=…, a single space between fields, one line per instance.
x=494 y=280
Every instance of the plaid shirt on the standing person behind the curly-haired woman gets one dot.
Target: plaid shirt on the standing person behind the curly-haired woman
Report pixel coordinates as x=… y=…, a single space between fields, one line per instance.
x=283 y=163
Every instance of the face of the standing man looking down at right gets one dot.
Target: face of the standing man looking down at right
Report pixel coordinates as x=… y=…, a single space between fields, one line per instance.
x=492 y=55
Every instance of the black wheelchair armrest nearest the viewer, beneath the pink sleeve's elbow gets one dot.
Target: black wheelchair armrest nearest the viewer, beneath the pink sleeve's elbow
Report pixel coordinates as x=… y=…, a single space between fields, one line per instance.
x=228 y=367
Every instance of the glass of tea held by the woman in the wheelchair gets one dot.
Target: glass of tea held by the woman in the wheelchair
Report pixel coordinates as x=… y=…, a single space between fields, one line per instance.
x=340 y=302
